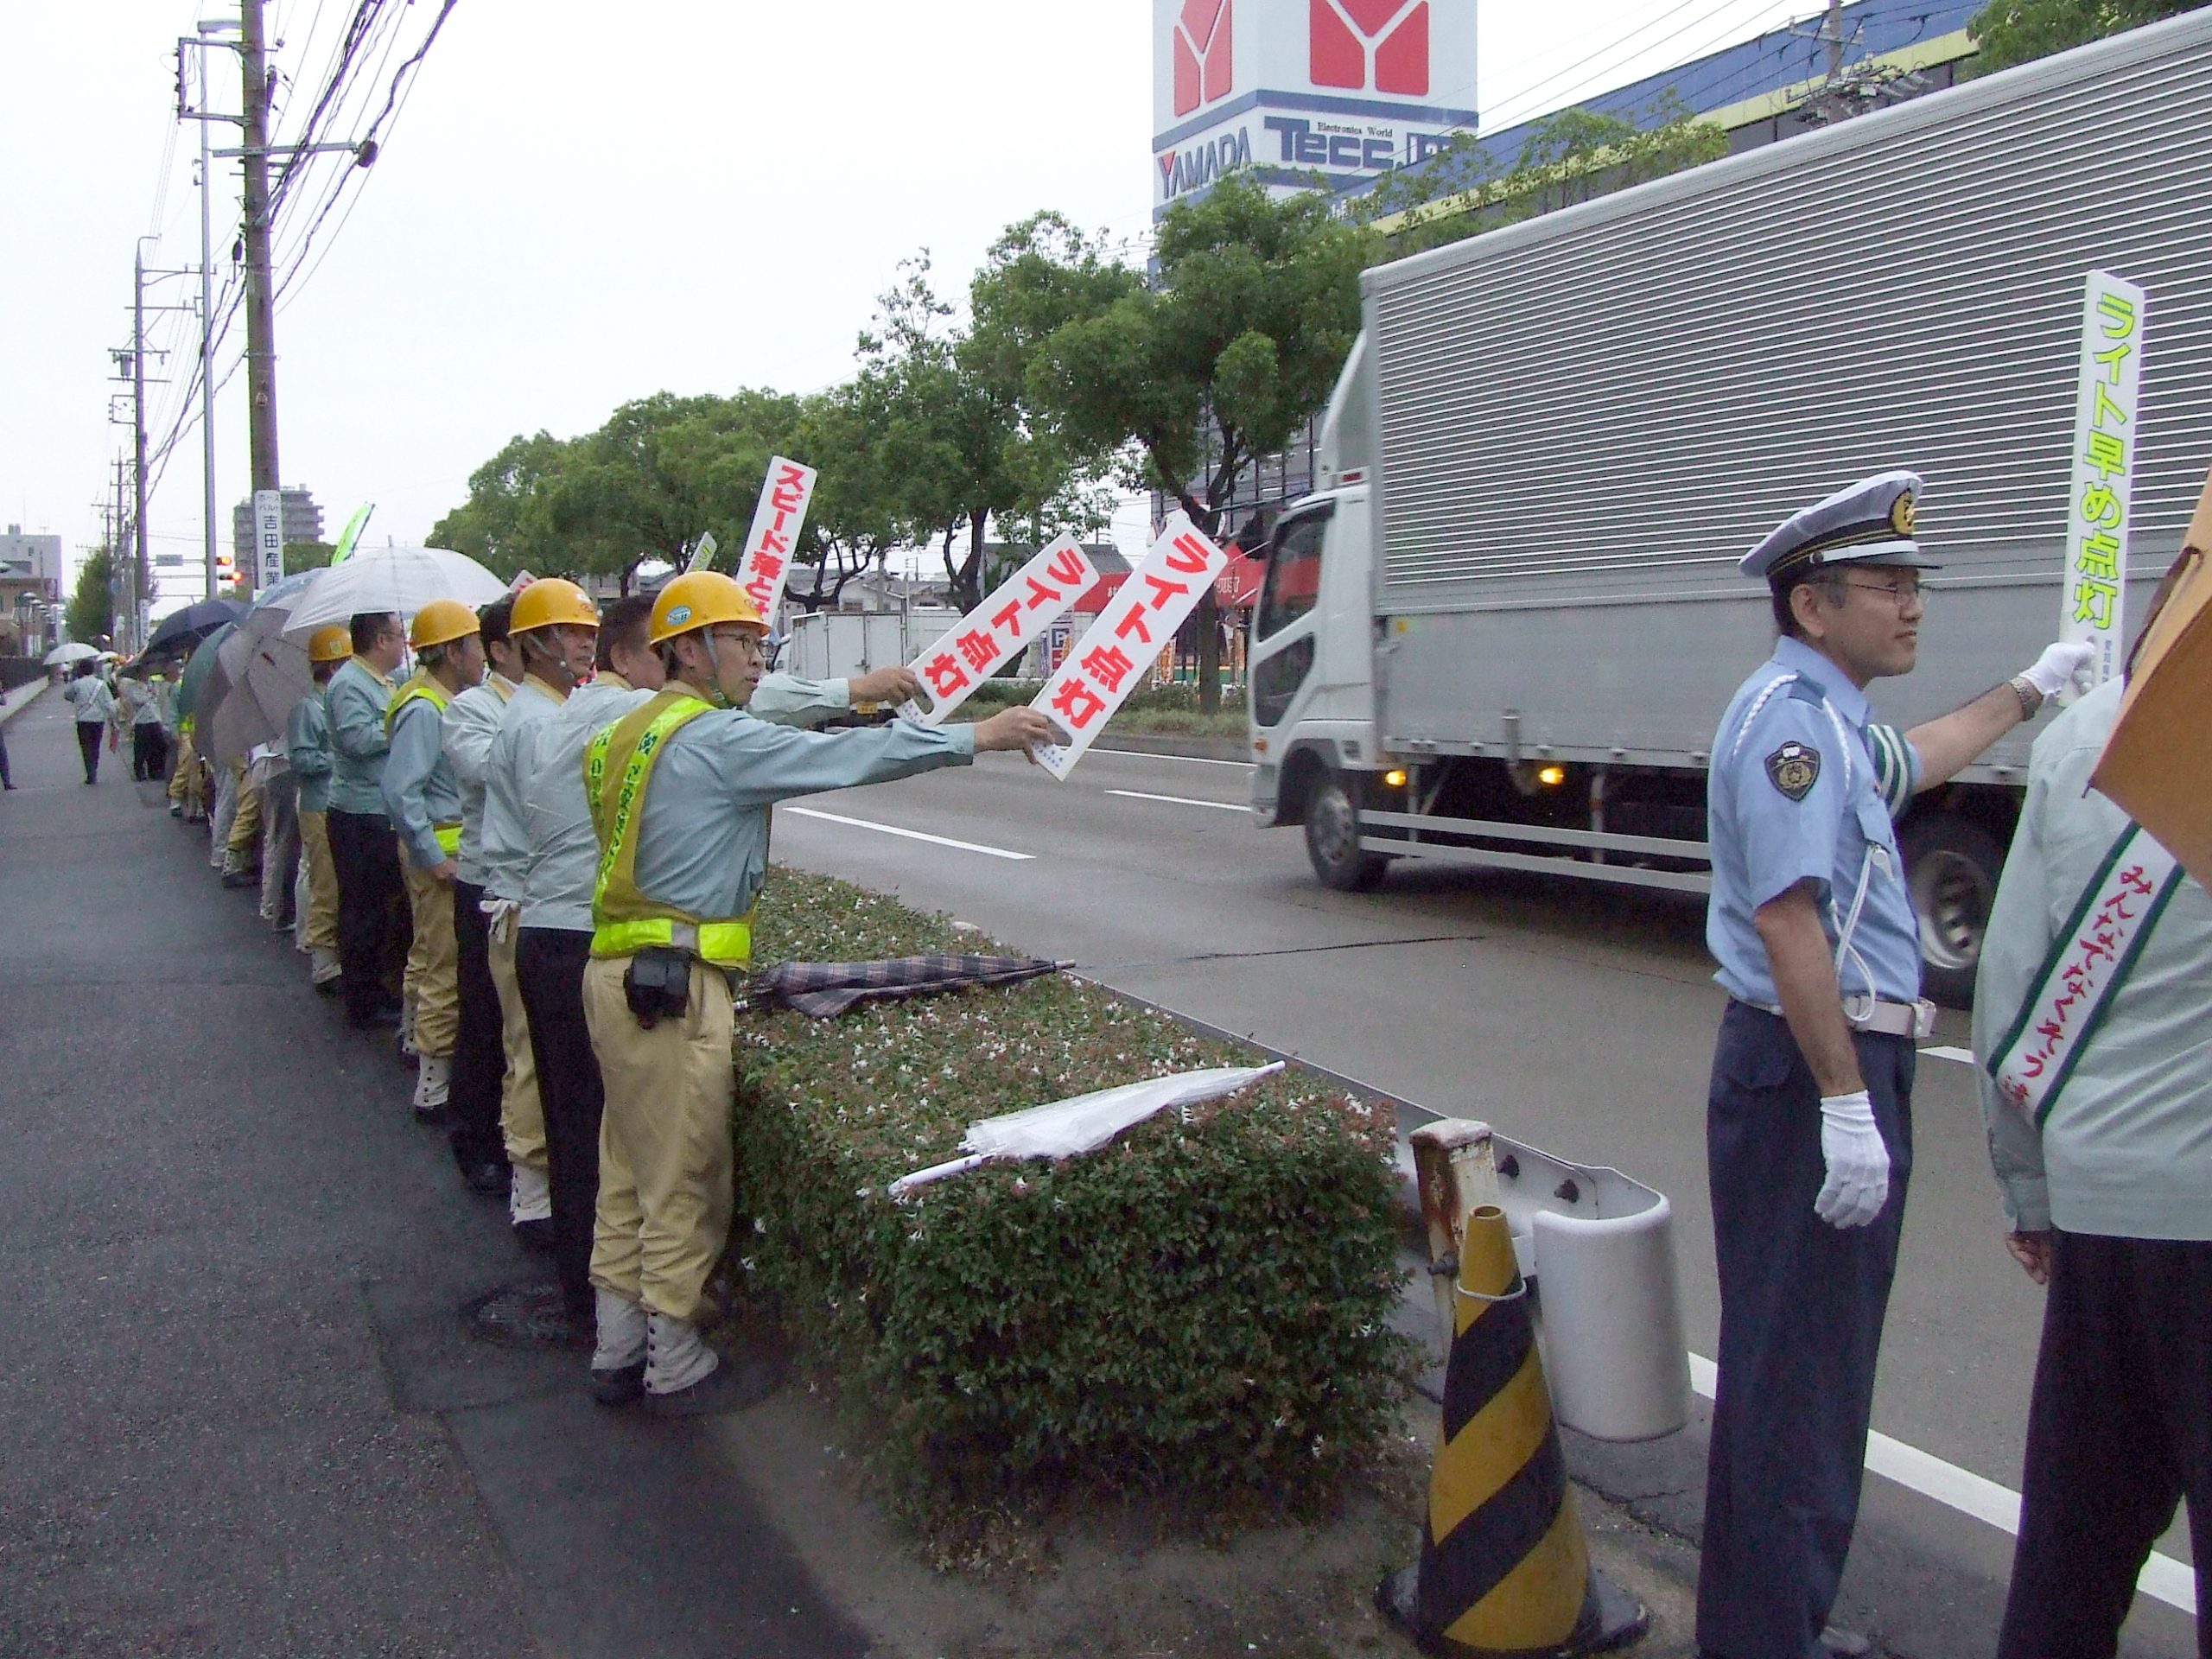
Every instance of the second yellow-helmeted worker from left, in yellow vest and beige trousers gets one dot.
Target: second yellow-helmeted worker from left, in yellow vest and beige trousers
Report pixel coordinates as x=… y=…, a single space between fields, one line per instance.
x=424 y=804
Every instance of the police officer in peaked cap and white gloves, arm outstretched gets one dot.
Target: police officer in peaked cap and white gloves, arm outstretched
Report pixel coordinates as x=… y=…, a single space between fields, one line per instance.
x=1811 y=1105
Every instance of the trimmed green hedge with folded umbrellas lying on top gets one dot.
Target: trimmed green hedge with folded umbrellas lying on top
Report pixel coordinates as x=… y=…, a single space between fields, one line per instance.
x=1198 y=1306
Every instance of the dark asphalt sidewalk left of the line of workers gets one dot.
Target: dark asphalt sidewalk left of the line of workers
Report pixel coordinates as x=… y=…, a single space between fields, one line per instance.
x=240 y=1404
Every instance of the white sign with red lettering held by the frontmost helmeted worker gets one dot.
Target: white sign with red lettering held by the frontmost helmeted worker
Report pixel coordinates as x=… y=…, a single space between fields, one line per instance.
x=1109 y=662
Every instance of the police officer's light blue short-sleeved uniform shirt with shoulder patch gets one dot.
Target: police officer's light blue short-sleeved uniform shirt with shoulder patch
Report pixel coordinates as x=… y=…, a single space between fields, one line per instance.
x=1795 y=795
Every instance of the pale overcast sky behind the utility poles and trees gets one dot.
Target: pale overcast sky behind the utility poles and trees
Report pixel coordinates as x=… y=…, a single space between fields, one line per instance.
x=587 y=205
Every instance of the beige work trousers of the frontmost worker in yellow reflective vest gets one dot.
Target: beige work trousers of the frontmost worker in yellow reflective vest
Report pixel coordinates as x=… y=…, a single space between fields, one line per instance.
x=665 y=1142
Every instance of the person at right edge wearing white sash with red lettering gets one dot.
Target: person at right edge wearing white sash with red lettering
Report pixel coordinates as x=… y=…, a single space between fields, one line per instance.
x=2091 y=1014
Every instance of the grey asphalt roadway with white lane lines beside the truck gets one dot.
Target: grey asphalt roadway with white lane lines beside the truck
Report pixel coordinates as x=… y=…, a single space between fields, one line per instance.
x=1574 y=1019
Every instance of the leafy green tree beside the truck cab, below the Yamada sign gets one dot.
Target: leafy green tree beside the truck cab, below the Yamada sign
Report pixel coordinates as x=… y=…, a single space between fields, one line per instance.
x=1218 y=359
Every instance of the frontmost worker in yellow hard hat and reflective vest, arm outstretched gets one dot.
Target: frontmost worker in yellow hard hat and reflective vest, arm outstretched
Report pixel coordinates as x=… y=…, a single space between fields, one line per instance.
x=680 y=795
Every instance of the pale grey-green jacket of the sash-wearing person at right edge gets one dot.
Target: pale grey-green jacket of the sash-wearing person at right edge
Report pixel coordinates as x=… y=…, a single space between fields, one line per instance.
x=2127 y=1149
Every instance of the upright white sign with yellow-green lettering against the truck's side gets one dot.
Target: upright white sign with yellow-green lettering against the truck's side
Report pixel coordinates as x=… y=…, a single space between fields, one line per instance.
x=2103 y=472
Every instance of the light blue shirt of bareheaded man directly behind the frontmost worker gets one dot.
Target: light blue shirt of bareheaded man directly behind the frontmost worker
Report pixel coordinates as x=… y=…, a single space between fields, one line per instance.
x=563 y=862
